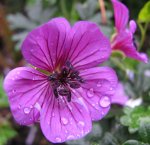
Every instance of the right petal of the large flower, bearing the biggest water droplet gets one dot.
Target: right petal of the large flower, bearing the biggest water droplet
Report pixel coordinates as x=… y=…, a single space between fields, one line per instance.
x=100 y=84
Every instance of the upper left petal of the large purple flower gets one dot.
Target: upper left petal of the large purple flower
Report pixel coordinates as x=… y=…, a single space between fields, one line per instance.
x=44 y=46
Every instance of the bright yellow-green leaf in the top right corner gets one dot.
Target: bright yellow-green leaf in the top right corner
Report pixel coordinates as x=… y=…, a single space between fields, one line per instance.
x=144 y=15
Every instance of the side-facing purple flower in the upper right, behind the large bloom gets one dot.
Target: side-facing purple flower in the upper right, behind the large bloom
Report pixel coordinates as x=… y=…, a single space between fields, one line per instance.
x=123 y=39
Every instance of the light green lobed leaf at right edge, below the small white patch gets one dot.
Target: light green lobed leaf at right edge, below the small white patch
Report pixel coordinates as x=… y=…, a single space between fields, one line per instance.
x=134 y=117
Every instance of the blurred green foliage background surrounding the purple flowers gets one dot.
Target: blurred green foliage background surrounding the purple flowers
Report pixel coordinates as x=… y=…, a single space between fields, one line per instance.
x=127 y=125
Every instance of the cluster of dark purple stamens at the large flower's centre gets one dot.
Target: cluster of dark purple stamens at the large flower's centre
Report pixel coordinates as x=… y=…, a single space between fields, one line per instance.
x=66 y=79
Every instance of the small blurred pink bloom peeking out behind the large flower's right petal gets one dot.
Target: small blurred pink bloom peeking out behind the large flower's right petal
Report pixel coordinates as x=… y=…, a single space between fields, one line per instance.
x=119 y=97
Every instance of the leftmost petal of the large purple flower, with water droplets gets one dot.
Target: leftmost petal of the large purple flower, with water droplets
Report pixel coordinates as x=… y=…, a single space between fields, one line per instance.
x=26 y=88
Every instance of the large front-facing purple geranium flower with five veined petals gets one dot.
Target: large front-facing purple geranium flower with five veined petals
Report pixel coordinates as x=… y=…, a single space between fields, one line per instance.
x=64 y=90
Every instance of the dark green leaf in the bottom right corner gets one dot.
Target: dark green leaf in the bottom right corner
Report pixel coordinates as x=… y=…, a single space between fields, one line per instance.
x=144 y=132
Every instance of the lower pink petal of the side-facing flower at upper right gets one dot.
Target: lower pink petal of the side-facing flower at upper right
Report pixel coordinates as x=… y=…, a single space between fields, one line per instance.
x=124 y=42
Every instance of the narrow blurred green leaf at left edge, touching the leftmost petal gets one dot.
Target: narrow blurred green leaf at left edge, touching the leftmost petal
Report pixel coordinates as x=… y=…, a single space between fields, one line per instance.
x=3 y=97
